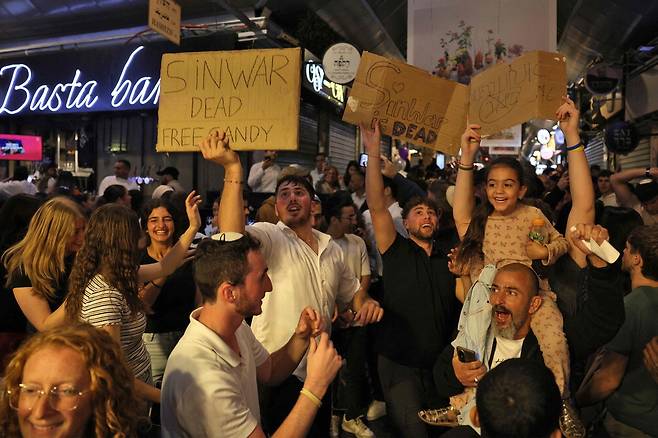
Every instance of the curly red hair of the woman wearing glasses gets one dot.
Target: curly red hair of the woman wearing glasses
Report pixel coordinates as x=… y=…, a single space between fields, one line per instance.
x=113 y=399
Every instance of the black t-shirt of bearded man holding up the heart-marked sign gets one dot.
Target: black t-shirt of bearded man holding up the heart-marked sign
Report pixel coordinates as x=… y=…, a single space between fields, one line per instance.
x=420 y=307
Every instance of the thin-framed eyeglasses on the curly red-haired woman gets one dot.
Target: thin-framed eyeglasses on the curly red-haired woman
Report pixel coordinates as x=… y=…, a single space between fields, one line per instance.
x=60 y=399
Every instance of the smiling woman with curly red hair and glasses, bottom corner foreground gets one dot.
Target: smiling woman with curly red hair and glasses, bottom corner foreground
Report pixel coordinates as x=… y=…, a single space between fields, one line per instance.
x=70 y=381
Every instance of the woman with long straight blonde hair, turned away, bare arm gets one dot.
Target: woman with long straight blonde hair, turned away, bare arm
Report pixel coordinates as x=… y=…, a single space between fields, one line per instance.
x=38 y=266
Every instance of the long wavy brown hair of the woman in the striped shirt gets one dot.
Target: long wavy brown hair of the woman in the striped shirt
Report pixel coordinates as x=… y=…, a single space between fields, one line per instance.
x=110 y=249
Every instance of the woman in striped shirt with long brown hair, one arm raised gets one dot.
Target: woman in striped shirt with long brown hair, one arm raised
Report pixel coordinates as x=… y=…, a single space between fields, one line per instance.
x=104 y=282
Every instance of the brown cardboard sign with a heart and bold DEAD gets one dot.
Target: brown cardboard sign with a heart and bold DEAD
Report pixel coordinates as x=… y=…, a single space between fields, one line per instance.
x=409 y=103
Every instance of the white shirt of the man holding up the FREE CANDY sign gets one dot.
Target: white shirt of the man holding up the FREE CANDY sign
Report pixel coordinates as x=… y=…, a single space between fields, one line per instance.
x=300 y=278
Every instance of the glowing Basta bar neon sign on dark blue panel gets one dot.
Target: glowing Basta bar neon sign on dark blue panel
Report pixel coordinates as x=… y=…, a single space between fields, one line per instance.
x=24 y=90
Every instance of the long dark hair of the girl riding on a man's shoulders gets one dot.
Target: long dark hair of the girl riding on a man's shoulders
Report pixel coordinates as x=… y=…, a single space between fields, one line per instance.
x=470 y=248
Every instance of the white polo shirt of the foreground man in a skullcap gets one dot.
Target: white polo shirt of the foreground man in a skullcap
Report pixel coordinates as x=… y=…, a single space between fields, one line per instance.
x=208 y=389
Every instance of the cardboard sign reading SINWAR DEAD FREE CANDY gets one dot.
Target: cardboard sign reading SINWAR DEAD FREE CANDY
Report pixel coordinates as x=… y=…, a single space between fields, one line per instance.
x=252 y=95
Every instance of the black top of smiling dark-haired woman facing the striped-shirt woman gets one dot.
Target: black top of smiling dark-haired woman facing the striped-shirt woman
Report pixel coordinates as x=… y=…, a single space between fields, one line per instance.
x=172 y=308
